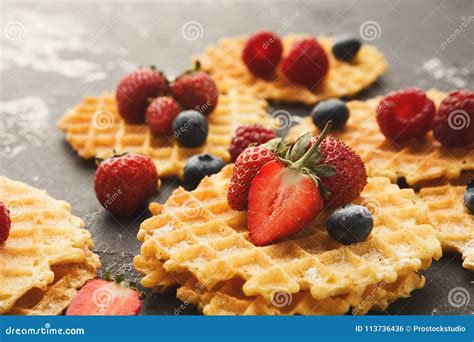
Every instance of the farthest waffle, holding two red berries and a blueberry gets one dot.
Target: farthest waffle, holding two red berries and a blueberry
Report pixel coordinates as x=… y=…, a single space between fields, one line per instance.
x=224 y=63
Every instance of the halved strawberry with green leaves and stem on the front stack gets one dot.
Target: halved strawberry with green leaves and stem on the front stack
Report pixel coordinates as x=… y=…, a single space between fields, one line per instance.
x=286 y=194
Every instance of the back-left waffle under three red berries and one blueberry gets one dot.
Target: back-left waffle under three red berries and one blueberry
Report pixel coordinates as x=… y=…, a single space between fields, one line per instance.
x=95 y=129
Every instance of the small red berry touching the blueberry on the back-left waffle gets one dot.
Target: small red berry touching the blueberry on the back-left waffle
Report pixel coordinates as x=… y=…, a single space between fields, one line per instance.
x=160 y=115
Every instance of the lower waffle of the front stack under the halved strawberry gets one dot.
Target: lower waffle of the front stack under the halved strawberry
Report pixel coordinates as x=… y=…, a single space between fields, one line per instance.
x=228 y=299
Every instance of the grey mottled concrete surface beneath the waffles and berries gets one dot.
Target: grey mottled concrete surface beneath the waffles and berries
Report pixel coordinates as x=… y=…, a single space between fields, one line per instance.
x=55 y=52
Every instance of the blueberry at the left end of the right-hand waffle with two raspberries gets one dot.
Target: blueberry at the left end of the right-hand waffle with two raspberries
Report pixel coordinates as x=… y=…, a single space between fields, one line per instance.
x=334 y=110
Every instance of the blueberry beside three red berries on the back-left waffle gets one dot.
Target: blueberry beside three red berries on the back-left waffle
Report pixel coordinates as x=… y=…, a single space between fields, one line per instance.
x=190 y=128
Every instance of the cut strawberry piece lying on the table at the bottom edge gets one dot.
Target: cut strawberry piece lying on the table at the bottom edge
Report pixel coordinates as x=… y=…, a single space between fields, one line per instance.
x=101 y=297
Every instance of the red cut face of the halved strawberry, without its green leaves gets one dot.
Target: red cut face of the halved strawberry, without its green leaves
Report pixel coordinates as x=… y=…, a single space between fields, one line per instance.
x=282 y=201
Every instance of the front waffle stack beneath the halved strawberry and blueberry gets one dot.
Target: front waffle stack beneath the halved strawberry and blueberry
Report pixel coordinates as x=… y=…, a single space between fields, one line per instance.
x=195 y=240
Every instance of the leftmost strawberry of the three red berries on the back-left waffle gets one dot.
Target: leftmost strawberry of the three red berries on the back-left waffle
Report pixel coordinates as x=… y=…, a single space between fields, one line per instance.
x=136 y=89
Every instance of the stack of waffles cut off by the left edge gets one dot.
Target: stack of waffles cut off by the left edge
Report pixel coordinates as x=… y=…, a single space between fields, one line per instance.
x=47 y=256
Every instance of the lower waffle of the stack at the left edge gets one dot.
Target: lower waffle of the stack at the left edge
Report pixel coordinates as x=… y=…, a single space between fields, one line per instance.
x=68 y=279
